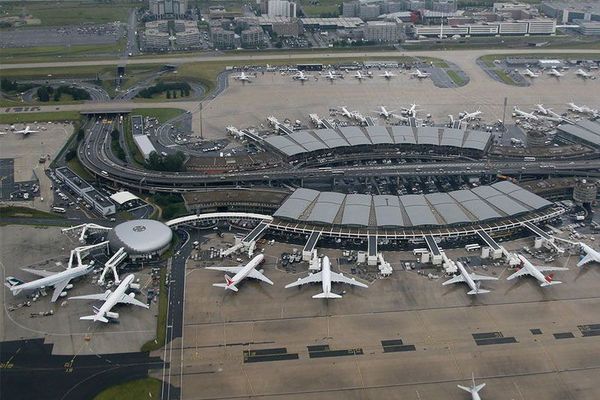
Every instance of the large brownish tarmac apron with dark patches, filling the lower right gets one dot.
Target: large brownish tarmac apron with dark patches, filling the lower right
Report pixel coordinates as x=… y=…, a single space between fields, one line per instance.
x=405 y=337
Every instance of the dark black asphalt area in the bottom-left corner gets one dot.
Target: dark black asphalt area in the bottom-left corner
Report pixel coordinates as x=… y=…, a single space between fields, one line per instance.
x=30 y=371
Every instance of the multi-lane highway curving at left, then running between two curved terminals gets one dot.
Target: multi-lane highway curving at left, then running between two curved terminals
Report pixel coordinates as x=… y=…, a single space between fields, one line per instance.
x=95 y=155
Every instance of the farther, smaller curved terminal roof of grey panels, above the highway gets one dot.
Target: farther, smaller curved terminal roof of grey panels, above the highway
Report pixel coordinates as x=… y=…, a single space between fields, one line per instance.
x=321 y=139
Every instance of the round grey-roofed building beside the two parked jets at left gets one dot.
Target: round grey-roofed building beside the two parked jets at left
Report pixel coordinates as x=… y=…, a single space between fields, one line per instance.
x=141 y=238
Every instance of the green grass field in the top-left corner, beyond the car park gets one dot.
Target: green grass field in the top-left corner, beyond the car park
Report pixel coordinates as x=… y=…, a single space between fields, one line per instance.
x=70 y=12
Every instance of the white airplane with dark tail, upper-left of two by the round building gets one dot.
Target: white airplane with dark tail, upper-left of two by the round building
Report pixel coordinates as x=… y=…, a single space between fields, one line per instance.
x=58 y=280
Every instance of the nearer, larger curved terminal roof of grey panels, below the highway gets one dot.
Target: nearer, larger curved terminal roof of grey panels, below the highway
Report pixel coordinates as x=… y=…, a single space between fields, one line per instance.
x=484 y=203
